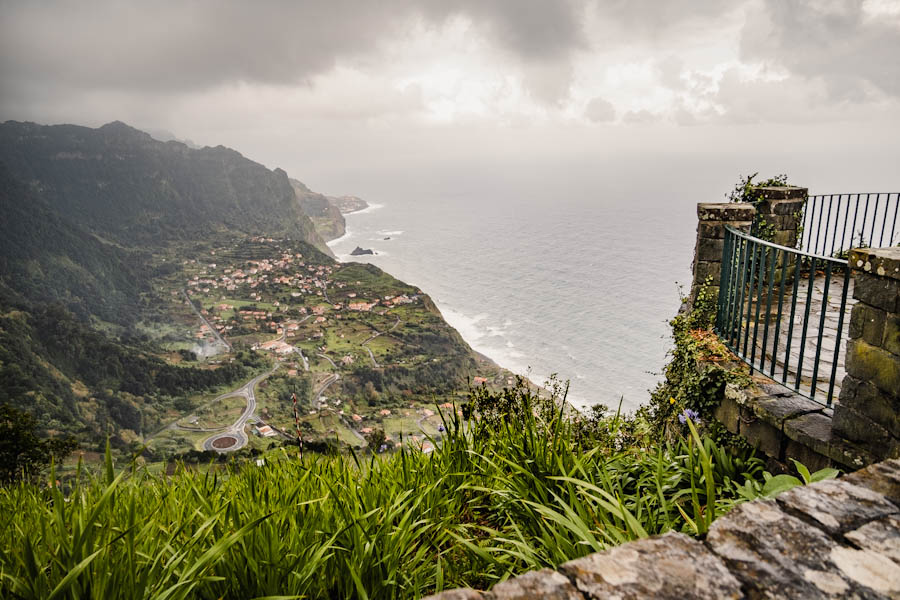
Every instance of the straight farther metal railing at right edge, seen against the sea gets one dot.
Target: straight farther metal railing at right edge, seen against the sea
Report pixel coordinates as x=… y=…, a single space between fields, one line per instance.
x=850 y=221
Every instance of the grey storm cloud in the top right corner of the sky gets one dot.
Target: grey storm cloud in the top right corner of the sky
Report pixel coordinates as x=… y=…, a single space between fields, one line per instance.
x=851 y=51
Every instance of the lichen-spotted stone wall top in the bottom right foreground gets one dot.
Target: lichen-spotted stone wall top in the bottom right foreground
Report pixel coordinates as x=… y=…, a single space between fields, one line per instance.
x=832 y=539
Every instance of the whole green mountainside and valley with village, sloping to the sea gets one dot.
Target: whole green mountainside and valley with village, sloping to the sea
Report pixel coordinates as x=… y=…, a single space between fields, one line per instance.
x=106 y=232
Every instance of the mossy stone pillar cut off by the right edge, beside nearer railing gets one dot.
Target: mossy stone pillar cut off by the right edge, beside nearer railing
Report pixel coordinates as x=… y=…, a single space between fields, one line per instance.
x=869 y=409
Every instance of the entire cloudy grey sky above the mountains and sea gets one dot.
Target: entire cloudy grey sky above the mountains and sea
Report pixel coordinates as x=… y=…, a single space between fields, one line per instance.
x=352 y=95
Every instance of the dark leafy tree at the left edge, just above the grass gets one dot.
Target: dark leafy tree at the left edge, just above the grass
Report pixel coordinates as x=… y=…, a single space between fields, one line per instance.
x=23 y=455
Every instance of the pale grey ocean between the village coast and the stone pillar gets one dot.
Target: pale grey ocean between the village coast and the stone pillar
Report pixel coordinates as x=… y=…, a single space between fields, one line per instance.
x=579 y=288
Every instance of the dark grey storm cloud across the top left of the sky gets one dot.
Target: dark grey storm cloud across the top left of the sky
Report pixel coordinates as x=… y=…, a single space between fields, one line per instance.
x=192 y=45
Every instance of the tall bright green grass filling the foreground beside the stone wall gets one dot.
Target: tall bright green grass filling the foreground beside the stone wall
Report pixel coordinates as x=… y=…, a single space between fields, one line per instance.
x=496 y=497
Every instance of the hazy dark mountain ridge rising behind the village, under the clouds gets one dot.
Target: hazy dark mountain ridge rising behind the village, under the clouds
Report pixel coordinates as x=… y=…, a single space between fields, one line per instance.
x=174 y=192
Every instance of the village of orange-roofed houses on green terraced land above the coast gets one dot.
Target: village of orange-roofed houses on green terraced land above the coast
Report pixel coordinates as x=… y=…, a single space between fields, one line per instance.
x=345 y=338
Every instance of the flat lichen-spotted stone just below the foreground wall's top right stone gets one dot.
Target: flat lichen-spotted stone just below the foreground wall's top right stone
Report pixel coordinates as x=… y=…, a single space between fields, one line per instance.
x=837 y=505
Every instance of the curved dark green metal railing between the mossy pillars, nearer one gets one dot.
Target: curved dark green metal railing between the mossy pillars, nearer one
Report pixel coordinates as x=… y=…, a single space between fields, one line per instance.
x=782 y=311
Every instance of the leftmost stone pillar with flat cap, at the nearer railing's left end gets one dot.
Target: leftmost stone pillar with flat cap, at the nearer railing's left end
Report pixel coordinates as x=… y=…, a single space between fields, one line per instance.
x=710 y=240
